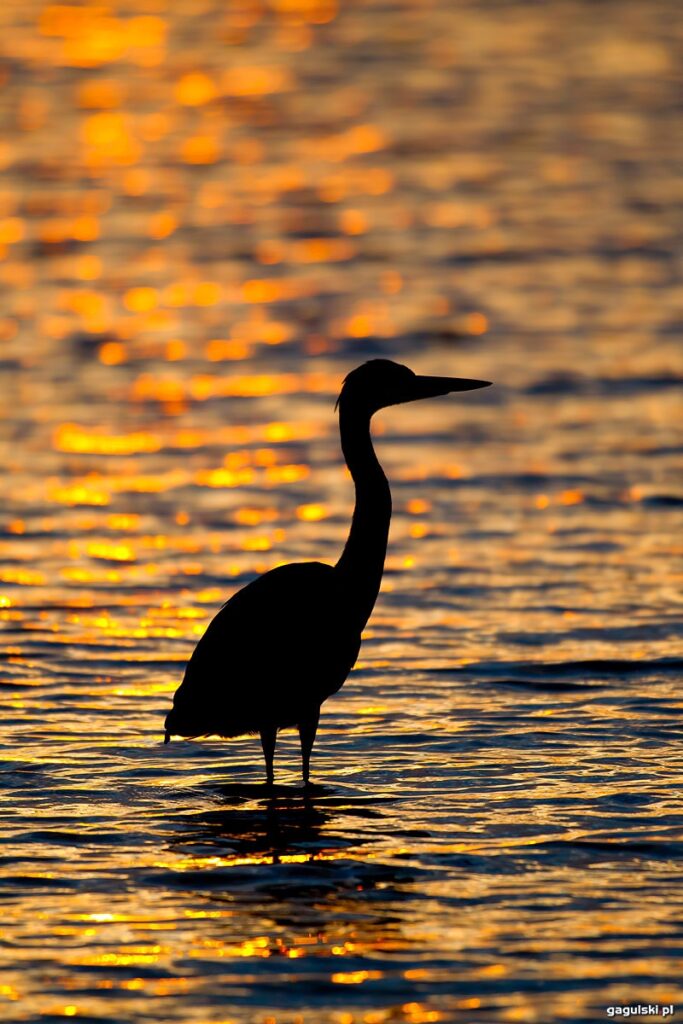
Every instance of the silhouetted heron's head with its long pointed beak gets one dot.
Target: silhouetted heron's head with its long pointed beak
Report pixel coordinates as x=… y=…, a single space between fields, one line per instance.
x=379 y=383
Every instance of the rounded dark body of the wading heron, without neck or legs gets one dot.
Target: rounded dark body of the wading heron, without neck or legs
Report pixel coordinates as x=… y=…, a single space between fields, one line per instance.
x=277 y=646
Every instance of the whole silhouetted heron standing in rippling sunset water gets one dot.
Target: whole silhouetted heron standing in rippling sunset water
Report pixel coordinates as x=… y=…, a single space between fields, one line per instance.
x=288 y=641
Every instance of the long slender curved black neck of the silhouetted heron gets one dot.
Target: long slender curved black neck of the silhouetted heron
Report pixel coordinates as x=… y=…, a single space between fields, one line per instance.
x=362 y=563
